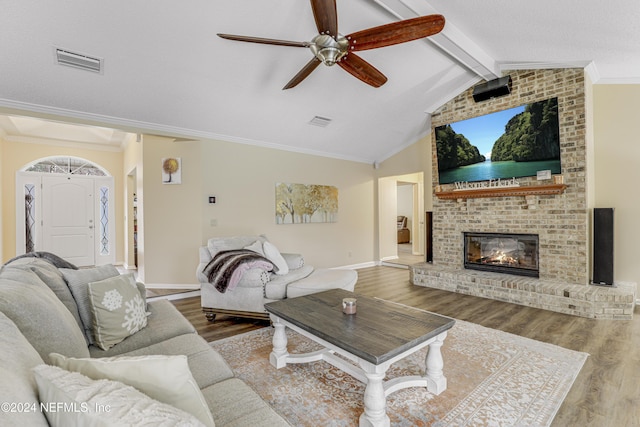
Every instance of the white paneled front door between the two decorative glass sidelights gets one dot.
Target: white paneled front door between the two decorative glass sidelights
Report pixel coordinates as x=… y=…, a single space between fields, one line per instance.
x=68 y=212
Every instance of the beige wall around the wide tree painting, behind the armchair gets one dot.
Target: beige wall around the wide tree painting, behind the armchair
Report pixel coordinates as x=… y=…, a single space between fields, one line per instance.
x=243 y=178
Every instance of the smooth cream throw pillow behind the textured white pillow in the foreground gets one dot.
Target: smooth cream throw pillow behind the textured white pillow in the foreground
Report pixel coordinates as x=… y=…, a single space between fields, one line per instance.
x=164 y=378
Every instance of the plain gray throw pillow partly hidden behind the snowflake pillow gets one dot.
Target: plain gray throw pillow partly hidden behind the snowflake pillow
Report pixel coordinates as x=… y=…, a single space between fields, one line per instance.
x=78 y=281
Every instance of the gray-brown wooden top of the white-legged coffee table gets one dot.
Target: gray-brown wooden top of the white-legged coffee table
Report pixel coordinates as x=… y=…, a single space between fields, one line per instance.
x=379 y=331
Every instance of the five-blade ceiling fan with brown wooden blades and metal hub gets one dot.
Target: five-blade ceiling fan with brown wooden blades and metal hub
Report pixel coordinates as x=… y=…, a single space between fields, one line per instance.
x=330 y=47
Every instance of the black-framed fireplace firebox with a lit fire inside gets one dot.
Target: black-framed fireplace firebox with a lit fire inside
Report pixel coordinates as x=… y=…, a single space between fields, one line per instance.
x=502 y=253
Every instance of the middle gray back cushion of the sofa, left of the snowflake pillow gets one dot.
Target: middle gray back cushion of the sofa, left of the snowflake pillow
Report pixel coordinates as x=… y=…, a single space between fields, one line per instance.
x=41 y=317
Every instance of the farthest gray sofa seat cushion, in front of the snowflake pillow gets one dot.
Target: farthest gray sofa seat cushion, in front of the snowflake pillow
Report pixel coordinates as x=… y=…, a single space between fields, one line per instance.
x=164 y=322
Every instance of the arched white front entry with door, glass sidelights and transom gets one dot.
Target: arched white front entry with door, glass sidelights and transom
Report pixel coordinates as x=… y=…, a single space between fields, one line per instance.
x=65 y=205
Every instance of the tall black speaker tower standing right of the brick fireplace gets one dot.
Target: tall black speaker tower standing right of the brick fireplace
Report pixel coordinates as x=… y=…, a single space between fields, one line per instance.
x=603 y=246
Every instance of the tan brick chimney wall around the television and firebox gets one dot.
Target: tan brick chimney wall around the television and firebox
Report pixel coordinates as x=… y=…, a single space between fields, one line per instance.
x=561 y=221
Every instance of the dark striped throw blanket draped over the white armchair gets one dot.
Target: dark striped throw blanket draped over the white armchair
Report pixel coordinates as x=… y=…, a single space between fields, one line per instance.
x=225 y=269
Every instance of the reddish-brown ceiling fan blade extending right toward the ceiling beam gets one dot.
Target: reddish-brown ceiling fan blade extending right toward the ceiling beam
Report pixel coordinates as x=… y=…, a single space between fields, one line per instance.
x=396 y=32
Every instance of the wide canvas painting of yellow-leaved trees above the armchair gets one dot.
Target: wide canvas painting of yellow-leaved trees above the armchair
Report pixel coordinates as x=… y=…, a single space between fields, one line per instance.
x=302 y=203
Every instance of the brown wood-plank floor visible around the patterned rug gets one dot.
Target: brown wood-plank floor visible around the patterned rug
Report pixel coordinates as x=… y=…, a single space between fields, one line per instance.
x=607 y=390
